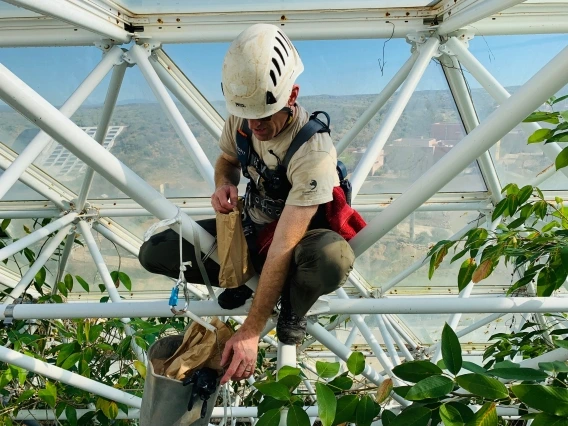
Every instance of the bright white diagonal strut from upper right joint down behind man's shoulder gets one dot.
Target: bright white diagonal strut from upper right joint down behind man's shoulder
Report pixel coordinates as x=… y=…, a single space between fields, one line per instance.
x=391 y=118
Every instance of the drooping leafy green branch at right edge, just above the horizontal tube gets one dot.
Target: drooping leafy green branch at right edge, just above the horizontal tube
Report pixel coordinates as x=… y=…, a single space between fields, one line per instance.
x=532 y=236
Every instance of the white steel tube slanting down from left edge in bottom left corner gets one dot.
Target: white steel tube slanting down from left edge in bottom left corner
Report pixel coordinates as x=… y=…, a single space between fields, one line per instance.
x=28 y=363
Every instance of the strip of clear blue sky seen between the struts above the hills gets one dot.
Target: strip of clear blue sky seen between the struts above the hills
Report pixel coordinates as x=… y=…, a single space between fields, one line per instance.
x=332 y=67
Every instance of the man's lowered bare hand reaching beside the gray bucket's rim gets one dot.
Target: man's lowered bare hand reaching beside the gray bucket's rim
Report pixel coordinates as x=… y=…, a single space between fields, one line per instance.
x=241 y=350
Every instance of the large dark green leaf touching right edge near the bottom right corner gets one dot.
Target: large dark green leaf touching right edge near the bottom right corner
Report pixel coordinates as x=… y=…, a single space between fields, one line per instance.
x=549 y=399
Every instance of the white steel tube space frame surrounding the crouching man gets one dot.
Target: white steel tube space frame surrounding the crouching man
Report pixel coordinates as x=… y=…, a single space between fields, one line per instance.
x=440 y=31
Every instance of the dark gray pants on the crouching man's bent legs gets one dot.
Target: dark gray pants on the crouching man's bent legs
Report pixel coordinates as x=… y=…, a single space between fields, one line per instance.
x=321 y=263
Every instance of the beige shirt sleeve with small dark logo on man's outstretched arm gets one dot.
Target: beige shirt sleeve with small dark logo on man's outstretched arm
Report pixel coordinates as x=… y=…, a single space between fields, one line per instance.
x=313 y=175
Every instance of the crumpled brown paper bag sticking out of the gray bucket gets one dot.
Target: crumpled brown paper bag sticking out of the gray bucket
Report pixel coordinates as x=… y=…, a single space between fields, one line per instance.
x=200 y=348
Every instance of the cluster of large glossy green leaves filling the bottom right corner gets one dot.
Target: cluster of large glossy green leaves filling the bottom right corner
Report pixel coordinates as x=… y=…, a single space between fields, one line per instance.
x=442 y=394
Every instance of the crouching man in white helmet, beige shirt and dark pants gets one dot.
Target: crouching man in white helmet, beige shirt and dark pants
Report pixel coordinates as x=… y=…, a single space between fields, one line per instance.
x=305 y=258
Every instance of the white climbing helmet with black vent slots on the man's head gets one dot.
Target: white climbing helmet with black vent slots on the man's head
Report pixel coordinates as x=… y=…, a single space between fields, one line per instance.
x=259 y=71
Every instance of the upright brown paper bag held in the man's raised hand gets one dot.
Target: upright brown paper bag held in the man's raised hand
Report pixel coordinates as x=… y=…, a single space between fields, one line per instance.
x=234 y=257
